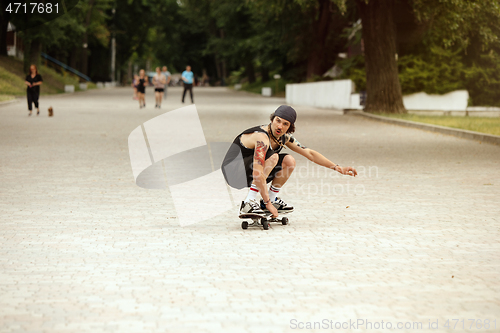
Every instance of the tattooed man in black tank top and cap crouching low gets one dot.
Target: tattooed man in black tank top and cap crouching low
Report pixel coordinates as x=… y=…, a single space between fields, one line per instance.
x=260 y=147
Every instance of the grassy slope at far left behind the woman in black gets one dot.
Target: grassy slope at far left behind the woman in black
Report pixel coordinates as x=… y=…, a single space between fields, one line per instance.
x=12 y=78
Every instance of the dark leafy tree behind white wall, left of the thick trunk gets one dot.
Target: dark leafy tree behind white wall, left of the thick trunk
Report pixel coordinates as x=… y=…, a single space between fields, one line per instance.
x=308 y=31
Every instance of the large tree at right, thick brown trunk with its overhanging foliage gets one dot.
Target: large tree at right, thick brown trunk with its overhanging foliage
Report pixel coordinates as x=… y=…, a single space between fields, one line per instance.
x=447 y=23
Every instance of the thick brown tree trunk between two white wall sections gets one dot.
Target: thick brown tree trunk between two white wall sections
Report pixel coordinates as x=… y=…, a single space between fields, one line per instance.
x=379 y=36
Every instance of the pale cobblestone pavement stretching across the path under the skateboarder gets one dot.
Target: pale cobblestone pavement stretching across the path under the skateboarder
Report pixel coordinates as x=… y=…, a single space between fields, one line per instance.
x=414 y=238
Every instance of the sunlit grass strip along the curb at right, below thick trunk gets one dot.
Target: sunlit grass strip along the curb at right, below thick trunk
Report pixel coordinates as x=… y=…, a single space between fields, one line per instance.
x=477 y=124
